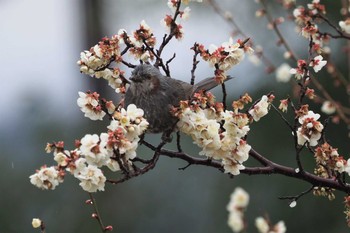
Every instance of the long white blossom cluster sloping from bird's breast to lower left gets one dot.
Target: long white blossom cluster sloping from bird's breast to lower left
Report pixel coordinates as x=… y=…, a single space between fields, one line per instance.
x=113 y=149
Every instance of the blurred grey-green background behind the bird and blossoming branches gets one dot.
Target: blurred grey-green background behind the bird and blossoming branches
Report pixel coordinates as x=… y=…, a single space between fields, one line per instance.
x=41 y=41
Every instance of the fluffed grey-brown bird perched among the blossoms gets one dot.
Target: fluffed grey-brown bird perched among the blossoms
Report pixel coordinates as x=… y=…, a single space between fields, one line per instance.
x=156 y=94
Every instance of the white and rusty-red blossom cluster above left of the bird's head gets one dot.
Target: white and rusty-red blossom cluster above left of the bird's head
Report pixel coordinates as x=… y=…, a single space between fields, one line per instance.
x=96 y=61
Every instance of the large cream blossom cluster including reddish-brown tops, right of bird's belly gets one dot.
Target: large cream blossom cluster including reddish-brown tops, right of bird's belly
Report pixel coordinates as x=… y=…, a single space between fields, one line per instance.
x=220 y=133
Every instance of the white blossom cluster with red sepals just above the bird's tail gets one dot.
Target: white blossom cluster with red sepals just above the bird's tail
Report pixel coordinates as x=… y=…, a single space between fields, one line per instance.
x=225 y=56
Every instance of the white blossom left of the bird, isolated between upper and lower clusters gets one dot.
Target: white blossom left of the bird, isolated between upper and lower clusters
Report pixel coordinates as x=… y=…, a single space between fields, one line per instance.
x=89 y=104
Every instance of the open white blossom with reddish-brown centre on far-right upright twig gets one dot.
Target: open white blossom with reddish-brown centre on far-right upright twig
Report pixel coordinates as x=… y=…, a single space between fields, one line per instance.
x=310 y=129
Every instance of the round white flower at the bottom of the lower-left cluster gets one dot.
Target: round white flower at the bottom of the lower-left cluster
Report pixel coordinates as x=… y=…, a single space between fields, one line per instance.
x=92 y=179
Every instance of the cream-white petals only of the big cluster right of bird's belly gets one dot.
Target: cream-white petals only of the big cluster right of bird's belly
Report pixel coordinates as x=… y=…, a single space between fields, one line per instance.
x=228 y=146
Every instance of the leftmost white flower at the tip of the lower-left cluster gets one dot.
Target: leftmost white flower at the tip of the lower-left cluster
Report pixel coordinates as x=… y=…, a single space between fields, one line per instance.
x=46 y=178
